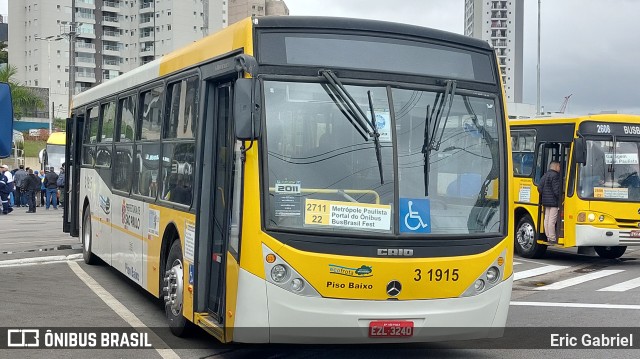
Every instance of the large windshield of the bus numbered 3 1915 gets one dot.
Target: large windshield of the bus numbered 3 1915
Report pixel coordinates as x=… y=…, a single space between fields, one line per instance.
x=324 y=174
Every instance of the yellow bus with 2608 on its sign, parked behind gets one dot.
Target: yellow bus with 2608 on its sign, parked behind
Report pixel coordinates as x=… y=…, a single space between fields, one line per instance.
x=600 y=204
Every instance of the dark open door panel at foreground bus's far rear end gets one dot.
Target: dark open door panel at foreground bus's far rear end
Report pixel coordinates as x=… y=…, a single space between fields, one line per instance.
x=75 y=126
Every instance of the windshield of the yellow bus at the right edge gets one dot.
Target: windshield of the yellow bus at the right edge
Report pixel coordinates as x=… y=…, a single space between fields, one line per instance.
x=611 y=171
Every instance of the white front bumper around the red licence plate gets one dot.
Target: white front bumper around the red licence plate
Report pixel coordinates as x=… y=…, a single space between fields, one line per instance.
x=297 y=319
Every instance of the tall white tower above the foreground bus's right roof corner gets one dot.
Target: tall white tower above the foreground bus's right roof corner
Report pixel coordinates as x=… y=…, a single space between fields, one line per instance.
x=500 y=23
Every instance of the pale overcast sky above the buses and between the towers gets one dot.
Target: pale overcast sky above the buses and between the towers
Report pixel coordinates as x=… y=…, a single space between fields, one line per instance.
x=590 y=48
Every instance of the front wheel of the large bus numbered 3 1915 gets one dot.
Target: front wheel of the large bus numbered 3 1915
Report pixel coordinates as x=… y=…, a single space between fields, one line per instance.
x=173 y=291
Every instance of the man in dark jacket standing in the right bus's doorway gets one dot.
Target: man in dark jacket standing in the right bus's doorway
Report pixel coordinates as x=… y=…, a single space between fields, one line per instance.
x=550 y=188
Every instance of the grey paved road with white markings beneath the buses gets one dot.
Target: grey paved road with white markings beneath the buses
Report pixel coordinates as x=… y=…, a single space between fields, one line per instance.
x=562 y=290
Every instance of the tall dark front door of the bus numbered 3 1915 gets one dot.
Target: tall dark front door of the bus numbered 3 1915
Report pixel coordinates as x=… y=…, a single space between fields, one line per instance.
x=215 y=205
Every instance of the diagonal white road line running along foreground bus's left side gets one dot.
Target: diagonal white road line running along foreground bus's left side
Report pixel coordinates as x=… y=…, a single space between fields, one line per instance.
x=120 y=309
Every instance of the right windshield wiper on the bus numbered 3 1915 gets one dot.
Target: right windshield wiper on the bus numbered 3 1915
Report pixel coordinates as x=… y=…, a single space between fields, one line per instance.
x=431 y=130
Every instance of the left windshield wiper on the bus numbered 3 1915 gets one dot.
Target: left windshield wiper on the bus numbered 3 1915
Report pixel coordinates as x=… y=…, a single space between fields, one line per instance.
x=354 y=113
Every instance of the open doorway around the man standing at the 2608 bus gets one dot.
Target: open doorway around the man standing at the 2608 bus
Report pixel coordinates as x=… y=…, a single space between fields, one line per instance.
x=552 y=151
